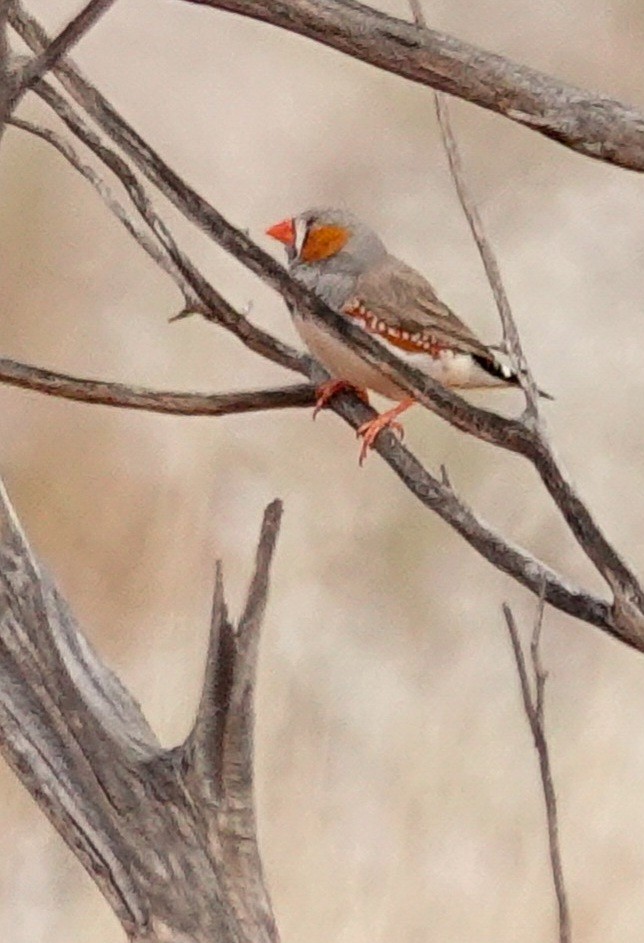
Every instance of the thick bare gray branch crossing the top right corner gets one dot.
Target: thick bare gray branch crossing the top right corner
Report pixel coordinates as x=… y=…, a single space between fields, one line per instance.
x=590 y=124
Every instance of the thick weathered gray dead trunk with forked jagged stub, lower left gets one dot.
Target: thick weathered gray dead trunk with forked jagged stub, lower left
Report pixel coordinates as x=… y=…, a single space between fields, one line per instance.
x=167 y=835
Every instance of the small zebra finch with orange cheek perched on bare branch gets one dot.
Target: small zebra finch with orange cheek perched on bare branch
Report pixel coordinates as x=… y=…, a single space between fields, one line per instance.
x=346 y=264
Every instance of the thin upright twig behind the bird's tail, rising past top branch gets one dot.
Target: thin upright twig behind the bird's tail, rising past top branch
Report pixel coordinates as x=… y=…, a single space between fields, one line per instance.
x=511 y=339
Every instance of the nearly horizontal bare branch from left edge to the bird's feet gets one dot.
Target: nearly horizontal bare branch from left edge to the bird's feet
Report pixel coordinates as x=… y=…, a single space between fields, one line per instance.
x=171 y=402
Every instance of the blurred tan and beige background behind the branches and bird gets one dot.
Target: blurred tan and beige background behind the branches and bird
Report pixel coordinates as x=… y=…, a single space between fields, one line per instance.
x=398 y=789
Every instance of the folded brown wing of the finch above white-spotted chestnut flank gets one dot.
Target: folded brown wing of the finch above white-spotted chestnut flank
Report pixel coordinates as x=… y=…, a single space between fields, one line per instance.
x=397 y=302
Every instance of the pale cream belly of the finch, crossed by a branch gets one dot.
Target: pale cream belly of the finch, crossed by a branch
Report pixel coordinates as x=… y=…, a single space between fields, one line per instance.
x=449 y=368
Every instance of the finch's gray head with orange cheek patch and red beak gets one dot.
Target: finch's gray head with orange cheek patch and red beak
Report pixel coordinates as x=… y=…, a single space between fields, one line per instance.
x=330 y=240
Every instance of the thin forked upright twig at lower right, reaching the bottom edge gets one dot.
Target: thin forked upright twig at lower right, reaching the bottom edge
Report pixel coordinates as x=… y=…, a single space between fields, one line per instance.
x=533 y=704
